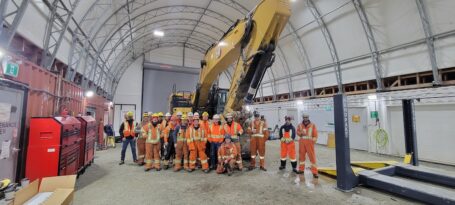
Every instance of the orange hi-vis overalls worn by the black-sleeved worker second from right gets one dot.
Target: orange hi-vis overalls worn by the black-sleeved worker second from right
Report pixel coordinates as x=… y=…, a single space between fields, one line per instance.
x=287 y=136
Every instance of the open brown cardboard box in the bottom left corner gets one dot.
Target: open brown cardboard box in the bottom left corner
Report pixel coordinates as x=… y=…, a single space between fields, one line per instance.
x=61 y=187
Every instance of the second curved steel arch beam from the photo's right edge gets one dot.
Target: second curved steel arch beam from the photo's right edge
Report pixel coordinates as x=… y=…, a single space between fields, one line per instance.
x=371 y=42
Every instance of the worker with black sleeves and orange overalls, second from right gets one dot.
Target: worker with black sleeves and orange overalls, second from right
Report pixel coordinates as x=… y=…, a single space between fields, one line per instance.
x=287 y=136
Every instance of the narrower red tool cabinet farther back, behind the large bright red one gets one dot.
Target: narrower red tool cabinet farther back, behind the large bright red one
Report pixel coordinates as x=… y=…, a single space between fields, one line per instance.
x=89 y=131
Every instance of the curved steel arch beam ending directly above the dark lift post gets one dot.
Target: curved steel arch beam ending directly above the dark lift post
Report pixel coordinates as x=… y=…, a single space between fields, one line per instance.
x=329 y=41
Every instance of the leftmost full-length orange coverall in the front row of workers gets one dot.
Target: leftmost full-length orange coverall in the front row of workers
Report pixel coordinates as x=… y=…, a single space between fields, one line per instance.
x=152 y=147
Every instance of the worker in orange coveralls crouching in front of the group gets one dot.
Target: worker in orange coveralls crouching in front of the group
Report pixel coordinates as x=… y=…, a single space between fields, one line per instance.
x=226 y=156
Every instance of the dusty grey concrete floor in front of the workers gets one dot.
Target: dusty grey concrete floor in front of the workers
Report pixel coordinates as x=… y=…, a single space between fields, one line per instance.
x=105 y=182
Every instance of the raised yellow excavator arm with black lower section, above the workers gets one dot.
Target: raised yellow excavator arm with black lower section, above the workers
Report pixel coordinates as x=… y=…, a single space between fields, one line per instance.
x=250 y=43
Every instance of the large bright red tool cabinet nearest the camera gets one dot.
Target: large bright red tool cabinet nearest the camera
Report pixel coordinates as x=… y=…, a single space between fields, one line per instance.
x=53 y=147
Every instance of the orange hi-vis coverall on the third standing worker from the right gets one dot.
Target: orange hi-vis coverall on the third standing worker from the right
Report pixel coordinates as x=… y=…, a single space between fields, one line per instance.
x=259 y=135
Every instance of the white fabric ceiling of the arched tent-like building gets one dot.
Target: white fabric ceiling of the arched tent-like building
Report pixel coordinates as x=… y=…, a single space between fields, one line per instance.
x=122 y=30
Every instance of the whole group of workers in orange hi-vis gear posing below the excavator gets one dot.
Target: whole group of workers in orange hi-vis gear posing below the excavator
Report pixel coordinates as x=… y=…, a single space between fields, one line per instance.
x=186 y=141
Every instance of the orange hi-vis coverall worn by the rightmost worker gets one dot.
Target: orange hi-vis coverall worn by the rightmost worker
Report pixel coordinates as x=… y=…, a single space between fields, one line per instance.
x=308 y=135
